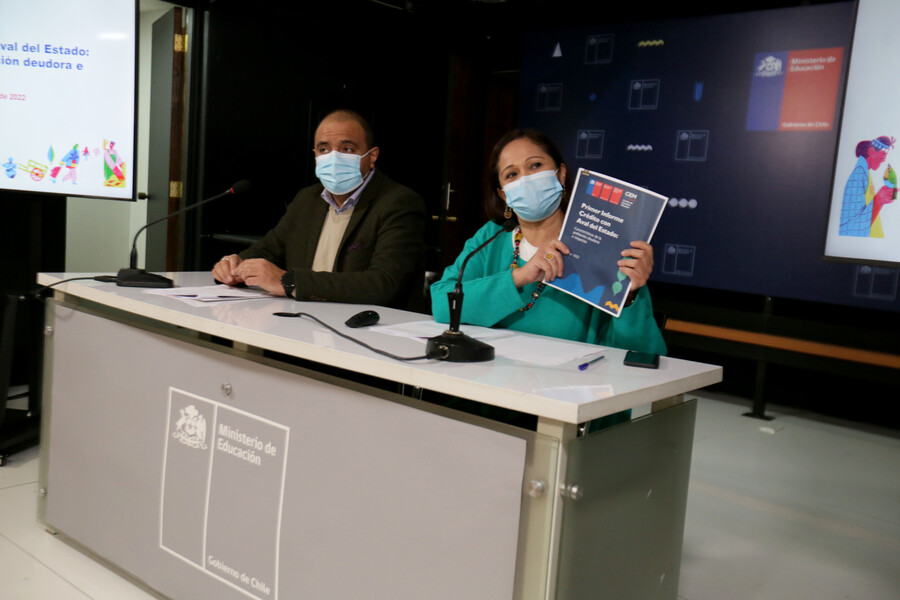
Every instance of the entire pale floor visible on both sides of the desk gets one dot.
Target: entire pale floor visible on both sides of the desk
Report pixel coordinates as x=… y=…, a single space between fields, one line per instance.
x=794 y=508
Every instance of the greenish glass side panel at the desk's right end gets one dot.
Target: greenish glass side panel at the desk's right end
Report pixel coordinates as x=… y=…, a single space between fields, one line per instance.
x=622 y=536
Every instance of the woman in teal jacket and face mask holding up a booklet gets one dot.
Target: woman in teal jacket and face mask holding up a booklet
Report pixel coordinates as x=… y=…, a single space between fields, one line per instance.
x=503 y=282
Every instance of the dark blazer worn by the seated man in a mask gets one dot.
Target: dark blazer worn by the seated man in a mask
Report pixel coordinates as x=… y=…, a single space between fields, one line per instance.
x=379 y=256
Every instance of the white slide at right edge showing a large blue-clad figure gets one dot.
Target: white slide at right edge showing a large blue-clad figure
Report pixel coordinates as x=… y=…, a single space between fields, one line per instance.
x=864 y=218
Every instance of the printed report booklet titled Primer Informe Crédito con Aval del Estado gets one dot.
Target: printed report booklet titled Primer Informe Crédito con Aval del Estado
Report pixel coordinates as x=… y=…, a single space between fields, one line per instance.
x=604 y=216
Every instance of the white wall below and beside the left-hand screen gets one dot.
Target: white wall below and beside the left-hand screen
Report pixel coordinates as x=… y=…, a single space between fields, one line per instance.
x=99 y=232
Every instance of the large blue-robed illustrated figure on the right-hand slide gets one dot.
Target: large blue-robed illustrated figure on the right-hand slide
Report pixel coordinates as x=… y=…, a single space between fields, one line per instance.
x=857 y=208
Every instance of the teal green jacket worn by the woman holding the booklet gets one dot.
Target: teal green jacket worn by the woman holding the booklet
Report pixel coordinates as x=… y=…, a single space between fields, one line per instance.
x=493 y=300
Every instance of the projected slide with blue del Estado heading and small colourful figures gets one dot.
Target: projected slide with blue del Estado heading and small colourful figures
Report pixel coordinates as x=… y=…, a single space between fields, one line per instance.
x=67 y=97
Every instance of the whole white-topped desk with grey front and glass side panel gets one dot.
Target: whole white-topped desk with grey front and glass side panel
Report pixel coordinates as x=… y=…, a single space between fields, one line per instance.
x=176 y=449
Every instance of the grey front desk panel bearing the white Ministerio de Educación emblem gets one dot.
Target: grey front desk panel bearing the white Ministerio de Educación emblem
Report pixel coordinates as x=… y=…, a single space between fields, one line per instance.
x=212 y=476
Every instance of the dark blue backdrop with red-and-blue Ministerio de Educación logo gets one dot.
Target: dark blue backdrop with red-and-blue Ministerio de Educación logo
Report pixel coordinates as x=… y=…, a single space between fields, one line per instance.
x=734 y=118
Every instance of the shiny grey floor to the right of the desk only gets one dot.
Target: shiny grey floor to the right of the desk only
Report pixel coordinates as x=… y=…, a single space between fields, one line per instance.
x=791 y=508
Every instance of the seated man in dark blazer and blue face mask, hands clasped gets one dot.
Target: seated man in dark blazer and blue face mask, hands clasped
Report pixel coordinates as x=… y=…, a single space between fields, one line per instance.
x=355 y=237
